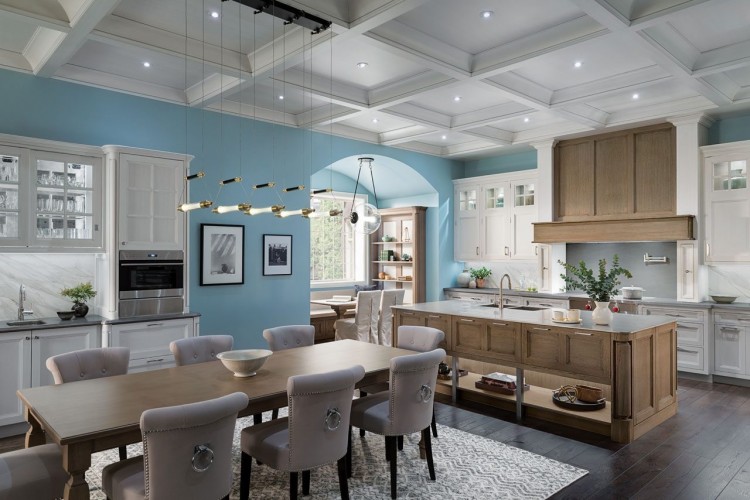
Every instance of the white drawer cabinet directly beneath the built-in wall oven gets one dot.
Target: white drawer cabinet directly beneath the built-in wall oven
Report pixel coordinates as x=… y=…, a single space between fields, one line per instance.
x=148 y=341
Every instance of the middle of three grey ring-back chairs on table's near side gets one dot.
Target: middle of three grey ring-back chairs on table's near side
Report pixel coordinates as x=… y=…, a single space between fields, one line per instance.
x=315 y=433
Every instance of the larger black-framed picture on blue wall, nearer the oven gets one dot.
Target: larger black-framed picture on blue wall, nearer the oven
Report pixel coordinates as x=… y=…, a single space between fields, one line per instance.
x=222 y=254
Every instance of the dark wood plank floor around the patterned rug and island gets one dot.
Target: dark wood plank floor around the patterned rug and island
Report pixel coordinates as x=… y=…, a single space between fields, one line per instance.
x=702 y=453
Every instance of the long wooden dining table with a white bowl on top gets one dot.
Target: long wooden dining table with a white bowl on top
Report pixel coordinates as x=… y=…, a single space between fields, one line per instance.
x=94 y=415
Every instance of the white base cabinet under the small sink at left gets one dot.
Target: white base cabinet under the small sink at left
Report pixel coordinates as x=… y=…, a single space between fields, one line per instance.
x=22 y=361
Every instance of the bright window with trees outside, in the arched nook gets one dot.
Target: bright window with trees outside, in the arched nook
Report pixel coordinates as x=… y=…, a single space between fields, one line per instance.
x=337 y=253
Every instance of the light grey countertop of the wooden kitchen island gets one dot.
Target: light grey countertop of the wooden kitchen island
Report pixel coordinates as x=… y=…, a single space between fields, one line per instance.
x=621 y=323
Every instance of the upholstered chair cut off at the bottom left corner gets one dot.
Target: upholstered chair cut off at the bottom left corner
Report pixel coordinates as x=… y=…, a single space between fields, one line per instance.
x=34 y=472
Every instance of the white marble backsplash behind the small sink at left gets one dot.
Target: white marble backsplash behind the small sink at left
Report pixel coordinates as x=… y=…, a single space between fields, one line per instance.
x=44 y=275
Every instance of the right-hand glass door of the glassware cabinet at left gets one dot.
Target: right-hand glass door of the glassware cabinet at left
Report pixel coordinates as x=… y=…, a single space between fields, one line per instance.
x=64 y=199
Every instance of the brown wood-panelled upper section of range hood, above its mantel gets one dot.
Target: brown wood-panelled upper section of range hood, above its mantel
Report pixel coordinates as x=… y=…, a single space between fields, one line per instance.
x=627 y=173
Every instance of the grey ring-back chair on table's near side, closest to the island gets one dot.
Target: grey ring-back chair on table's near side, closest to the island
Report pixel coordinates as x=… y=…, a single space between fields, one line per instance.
x=404 y=409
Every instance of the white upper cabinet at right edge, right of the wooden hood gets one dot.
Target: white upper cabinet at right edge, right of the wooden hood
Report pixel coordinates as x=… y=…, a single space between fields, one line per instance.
x=727 y=202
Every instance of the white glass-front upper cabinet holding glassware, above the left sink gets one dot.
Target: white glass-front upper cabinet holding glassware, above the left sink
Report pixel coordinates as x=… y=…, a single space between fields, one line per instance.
x=50 y=200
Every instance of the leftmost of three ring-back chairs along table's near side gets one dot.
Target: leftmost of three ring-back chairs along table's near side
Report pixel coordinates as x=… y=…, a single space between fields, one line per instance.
x=187 y=453
